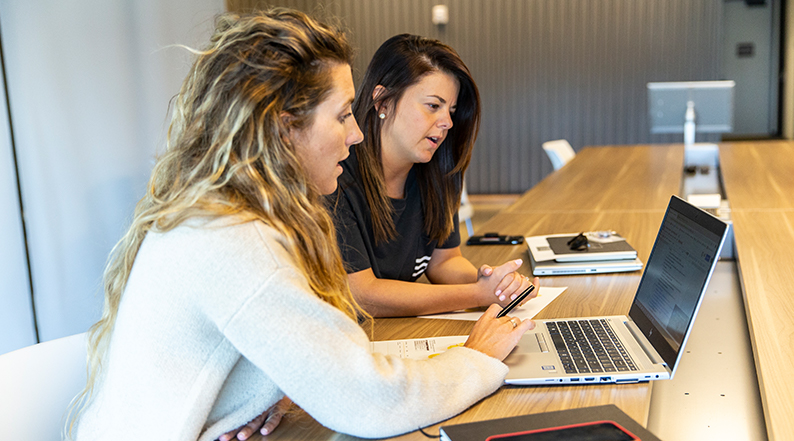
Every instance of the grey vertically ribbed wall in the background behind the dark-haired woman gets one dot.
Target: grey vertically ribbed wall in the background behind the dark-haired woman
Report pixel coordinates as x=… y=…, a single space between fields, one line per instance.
x=550 y=69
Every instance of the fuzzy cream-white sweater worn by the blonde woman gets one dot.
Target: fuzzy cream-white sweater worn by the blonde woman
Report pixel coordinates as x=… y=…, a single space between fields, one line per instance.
x=217 y=324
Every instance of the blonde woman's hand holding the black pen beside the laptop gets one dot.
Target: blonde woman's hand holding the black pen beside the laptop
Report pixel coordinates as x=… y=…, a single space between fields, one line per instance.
x=496 y=337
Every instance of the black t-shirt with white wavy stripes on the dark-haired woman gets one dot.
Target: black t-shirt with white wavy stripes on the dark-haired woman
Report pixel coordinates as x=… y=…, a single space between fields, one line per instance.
x=403 y=258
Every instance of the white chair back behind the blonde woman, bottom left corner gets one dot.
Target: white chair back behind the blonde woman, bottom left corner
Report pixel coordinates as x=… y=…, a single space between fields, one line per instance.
x=37 y=383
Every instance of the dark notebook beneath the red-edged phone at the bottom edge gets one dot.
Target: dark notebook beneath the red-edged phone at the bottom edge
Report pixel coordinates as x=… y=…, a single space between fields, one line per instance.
x=480 y=430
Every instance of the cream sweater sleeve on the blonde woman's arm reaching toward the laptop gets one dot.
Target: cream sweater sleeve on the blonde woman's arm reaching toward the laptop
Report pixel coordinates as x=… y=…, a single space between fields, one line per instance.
x=321 y=359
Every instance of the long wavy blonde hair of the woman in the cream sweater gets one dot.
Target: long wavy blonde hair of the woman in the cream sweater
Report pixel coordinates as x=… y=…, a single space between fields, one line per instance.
x=229 y=153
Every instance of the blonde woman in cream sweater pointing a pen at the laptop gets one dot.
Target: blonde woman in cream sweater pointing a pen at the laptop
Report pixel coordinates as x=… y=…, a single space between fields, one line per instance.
x=228 y=291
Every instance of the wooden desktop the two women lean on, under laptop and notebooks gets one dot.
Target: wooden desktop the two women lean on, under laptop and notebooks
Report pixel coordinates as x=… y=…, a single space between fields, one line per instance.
x=622 y=188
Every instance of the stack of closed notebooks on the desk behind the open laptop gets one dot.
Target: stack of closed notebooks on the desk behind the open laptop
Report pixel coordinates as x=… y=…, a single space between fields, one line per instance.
x=585 y=253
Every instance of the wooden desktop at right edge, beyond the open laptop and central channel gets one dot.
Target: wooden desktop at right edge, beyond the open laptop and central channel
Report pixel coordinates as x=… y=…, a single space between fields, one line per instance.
x=759 y=184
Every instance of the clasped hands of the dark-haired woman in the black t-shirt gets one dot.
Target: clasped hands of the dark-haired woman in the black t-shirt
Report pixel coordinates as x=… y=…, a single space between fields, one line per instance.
x=505 y=283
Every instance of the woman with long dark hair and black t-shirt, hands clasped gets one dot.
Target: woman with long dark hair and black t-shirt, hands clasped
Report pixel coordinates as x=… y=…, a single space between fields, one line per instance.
x=396 y=207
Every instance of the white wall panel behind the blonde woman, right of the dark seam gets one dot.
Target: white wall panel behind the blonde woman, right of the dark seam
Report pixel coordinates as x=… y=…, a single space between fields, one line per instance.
x=89 y=83
